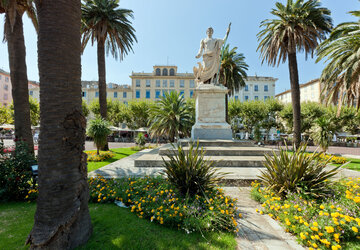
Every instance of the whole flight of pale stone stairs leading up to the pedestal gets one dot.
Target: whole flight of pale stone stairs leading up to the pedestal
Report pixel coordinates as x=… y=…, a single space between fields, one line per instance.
x=241 y=160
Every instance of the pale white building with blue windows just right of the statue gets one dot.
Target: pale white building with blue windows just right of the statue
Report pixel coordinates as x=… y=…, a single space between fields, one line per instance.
x=256 y=88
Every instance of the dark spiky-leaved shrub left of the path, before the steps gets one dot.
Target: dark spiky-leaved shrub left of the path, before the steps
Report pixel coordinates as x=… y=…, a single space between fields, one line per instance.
x=189 y=172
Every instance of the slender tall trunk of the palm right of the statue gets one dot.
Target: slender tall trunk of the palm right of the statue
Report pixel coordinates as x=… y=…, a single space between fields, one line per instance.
x=295 y=97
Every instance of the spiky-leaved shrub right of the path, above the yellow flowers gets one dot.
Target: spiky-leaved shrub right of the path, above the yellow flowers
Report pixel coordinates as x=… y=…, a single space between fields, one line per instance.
x=299 y=172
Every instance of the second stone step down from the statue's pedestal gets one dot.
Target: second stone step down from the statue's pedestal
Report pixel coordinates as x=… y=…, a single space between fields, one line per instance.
x=222 y=151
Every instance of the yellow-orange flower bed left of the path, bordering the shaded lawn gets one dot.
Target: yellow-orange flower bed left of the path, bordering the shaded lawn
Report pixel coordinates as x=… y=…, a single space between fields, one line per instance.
x=156 y=200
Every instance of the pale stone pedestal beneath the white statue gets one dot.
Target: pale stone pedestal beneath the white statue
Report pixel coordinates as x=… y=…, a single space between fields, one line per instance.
x=210 y=114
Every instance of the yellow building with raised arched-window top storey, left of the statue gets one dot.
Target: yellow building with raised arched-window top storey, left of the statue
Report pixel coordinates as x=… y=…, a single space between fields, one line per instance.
x=163 y=79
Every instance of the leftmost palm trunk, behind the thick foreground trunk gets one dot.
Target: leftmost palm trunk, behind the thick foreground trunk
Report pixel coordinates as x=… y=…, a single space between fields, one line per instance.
x=19 y=80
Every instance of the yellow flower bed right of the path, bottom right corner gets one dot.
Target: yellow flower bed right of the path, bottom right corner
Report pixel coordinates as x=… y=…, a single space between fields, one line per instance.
x=330 y=223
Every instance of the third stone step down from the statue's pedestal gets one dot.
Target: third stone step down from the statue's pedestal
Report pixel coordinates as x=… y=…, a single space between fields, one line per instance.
x=155 y=160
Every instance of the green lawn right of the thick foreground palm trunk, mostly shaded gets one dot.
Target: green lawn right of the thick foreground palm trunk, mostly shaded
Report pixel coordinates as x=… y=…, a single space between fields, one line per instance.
x=118 y=228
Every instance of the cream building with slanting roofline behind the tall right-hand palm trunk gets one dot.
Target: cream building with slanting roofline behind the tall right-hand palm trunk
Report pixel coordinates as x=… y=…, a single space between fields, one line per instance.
x=309 y=92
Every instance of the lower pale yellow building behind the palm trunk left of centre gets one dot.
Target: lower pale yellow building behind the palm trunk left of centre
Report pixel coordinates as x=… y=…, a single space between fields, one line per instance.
x=90 y=92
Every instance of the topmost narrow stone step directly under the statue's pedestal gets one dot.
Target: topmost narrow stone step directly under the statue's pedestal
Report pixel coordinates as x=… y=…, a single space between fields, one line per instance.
x=218 y=143
